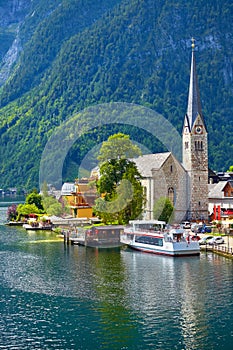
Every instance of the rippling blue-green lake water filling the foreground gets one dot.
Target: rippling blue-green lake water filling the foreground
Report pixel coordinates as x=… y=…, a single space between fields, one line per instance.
x=58 y=297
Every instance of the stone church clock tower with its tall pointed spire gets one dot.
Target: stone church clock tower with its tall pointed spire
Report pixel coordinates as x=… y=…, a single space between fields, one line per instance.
x=195 y=150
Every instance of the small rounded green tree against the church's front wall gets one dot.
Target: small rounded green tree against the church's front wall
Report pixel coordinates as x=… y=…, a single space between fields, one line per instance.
x=163 y=210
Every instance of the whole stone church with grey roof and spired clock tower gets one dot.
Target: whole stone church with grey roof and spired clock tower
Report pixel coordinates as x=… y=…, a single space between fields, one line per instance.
x=185 y=184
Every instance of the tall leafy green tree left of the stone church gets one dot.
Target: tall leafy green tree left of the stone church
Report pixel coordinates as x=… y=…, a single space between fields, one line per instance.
x=119 y=185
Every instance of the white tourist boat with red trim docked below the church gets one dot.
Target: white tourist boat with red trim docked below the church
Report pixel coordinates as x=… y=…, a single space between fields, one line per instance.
x=153 y=237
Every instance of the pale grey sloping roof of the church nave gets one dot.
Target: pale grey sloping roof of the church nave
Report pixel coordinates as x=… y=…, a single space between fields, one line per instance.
x=147 y=162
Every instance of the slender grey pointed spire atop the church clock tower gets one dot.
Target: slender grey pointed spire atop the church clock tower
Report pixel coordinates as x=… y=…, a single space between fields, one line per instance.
x=194 y=104
